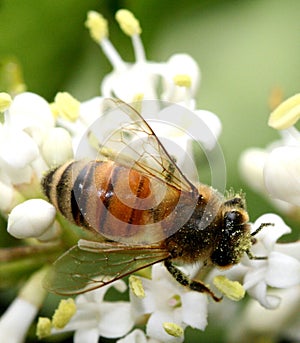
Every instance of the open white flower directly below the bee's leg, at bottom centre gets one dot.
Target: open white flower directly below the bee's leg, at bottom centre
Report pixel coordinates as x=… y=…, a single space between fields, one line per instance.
x=168 y=302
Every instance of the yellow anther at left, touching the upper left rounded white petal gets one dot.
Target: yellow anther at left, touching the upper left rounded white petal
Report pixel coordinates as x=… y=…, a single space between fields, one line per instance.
x=67 y=106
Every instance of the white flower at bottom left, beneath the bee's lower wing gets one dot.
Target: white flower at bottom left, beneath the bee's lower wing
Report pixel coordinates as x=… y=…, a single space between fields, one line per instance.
x=96 y=317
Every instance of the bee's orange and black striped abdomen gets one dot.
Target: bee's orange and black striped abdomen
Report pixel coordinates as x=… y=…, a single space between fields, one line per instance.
x=106 y=197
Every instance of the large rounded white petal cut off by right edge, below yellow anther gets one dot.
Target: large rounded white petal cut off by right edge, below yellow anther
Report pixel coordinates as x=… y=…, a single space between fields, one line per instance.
x=281 y=174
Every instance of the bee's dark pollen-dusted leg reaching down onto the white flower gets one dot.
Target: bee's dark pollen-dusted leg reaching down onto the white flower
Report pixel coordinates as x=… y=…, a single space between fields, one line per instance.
x=184 y=280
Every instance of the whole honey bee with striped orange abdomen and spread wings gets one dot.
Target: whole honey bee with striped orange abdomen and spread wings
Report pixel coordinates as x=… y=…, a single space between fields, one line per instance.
x=141 y=210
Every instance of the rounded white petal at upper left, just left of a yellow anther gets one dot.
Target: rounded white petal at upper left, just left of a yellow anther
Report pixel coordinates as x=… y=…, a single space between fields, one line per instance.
x=30 y=110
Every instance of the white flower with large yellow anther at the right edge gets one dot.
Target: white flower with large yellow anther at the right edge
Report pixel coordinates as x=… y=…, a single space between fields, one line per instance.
x=275 y=170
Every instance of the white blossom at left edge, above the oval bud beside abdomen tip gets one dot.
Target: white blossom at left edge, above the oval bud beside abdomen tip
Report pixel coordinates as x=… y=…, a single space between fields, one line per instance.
x=27 y=118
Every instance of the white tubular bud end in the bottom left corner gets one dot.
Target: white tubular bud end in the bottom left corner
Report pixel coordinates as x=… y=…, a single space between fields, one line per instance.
x=15 y=322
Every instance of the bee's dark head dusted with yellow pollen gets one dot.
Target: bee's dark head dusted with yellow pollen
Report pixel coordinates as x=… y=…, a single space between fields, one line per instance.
x=233 y=240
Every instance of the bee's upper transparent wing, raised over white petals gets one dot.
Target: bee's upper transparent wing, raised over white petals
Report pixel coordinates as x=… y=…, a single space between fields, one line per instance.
x=121 y=134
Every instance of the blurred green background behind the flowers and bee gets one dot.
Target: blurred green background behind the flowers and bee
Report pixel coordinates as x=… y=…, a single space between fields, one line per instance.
x=246 y=50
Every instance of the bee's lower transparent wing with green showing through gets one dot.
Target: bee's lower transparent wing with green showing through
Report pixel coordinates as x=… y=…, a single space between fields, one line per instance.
x=93 y=265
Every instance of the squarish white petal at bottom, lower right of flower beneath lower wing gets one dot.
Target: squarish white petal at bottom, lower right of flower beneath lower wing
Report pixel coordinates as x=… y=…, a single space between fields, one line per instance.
x=116 y=319
